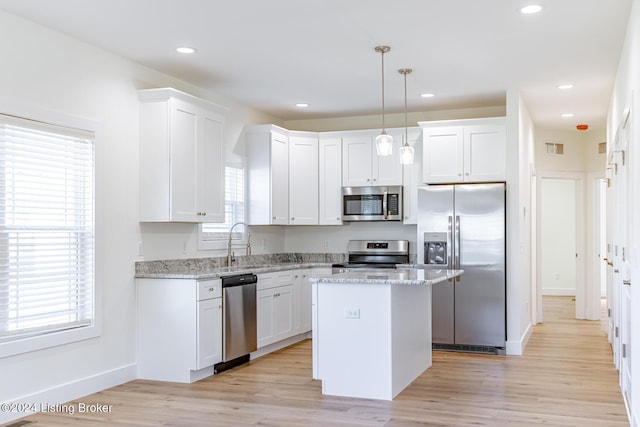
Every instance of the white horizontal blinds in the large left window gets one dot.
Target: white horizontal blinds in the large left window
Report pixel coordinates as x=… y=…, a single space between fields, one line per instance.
x=46 y=228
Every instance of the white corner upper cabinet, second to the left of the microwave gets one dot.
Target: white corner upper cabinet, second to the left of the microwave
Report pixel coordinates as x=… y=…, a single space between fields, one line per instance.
x=303 y=178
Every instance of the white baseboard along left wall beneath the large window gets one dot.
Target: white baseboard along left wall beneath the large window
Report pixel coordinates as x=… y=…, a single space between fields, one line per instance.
x=72 y=390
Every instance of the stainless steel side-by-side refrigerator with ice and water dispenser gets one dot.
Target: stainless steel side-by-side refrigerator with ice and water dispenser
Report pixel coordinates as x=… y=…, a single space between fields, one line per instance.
x=462 y=226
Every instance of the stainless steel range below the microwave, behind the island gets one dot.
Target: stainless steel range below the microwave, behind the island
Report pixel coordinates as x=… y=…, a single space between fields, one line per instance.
x=374 y=254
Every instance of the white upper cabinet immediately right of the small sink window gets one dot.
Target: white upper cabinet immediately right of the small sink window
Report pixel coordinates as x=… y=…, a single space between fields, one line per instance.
x=267 y=148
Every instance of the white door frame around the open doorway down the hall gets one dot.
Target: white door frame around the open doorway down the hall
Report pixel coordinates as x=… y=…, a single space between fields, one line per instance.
x=581 y=287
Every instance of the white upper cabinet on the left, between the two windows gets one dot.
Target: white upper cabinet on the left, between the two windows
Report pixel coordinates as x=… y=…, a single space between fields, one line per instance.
x=181 y=158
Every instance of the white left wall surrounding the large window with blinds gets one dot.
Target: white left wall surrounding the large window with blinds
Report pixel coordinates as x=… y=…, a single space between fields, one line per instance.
x=50 y=71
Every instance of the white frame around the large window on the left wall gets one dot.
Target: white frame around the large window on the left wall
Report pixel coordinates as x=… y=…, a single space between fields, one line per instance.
x=34 y=342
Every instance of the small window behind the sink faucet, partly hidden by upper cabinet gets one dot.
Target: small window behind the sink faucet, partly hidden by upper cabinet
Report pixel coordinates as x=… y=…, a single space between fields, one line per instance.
x=212 y=235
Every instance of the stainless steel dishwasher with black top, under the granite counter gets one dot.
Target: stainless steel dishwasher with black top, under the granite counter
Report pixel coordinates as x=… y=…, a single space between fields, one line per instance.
x=239 y=330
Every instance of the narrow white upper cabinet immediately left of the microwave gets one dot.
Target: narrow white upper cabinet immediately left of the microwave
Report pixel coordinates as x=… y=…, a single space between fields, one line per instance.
x=330 y=180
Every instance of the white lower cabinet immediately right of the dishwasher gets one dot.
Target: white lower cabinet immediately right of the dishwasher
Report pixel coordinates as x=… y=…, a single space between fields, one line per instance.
x=274 y=307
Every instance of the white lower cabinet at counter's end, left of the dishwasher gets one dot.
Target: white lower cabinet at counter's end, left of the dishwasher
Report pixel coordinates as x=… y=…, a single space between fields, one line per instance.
x=179 y=328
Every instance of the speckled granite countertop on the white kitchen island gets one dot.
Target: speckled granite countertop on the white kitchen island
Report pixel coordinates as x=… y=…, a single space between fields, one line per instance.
x=403 y=276
